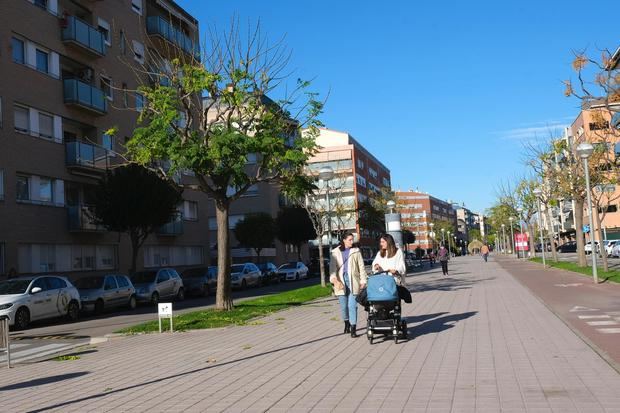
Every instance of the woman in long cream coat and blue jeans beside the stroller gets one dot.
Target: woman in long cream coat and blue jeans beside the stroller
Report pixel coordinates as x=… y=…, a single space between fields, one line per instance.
x=347 y=273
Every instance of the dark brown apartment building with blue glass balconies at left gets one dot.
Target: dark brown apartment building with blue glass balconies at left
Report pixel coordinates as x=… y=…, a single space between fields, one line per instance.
x=71 y=66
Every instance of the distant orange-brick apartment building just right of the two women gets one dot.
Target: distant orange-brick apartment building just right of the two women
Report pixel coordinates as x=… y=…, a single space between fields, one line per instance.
x=418 y=210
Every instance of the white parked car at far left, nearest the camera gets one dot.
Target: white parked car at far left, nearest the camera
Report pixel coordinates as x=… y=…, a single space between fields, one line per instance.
x=27 y=299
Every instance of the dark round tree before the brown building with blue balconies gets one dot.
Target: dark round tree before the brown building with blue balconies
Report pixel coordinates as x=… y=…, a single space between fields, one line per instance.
x=136 y=201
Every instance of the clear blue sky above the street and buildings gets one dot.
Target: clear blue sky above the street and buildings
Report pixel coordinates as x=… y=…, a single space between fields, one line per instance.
x=443 y=93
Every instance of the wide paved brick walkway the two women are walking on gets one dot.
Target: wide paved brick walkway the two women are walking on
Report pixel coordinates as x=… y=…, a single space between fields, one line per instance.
x=482 y=342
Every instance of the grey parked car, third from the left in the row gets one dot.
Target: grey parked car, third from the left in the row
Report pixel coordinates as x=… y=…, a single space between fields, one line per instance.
x=154 y=285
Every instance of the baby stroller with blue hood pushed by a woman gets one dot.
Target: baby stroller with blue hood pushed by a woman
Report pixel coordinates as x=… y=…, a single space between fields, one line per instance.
x=384 y=308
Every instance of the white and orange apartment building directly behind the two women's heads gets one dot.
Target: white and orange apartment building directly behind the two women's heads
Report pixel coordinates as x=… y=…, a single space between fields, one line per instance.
x=358 y=176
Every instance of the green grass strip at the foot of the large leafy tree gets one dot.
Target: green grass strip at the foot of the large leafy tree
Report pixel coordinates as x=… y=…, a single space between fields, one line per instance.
x=240 y=315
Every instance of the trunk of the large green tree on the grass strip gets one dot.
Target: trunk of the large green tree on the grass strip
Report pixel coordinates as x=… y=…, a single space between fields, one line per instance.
x=223 y=298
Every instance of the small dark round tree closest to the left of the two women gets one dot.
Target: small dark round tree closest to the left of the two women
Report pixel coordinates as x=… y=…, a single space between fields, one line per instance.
x=294 y=226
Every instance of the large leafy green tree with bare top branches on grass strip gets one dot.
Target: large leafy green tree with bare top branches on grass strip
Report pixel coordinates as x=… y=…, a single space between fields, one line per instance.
x=236 y=136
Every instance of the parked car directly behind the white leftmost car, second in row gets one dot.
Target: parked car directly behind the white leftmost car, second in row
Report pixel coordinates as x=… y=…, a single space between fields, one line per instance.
x=99 y=293
